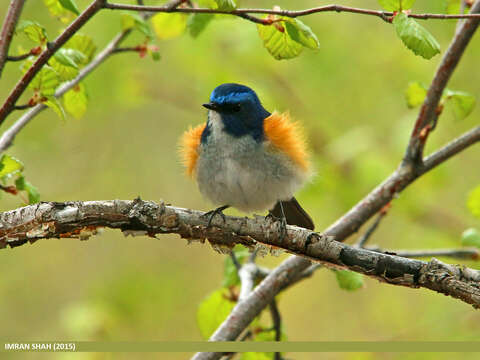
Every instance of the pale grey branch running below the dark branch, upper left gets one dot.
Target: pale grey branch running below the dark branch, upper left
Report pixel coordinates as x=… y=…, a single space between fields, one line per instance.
x=8 y=136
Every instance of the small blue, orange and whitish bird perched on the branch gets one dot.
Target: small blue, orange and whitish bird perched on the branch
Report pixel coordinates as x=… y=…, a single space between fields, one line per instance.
x=247 y=158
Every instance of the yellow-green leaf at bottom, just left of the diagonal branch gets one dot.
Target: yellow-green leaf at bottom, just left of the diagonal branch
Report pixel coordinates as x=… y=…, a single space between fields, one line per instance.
x=213 y=311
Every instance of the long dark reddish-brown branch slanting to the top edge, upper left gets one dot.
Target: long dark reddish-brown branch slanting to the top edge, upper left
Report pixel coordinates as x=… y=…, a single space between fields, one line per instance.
x=52 y=47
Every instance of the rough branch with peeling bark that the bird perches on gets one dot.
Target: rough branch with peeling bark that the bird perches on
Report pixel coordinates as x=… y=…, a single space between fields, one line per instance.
x=138 y=217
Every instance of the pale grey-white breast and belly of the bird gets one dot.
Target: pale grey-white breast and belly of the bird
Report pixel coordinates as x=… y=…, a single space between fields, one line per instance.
x=240 y=172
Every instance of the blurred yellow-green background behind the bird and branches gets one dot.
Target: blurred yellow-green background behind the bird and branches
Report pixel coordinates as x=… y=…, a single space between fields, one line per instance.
x=350 y=96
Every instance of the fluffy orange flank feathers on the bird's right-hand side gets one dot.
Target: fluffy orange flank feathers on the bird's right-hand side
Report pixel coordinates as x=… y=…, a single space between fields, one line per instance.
x=287 y=136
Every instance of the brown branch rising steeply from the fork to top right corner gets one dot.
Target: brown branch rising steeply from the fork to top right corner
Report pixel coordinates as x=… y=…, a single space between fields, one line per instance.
x=429 y=111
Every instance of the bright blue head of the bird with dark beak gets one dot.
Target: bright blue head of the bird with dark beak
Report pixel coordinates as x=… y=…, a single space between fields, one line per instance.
x=239 y=109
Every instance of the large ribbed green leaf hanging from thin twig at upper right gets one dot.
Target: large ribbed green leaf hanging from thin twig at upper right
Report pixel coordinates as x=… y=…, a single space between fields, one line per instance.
x=415 y=37
